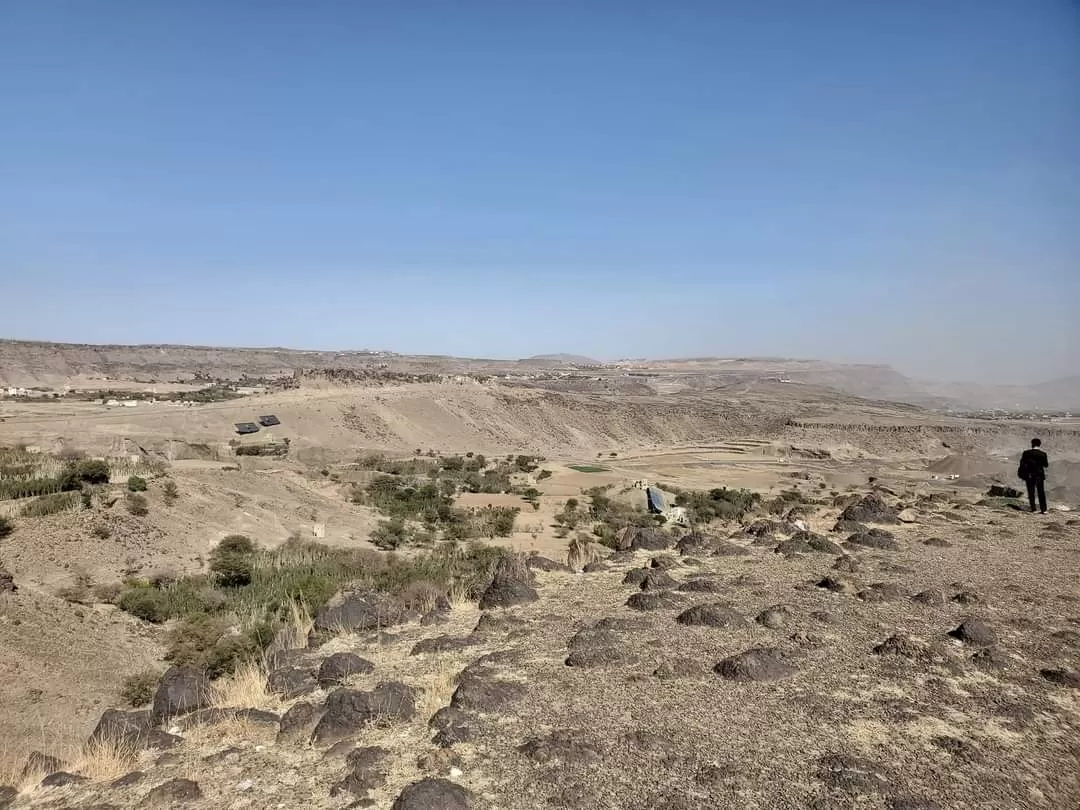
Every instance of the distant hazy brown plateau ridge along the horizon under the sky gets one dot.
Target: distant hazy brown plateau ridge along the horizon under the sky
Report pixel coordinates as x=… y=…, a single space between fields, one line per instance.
x=55 y=366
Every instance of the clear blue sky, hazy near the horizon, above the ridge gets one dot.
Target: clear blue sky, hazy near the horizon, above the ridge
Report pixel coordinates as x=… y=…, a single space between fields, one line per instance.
x=885 y=182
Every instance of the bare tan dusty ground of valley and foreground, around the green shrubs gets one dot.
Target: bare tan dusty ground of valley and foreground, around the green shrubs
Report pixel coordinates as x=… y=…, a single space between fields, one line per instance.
x=647 y=723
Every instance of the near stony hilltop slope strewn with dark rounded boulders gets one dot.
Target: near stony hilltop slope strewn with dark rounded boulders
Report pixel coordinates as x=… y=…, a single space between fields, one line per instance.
x=842 y=661
